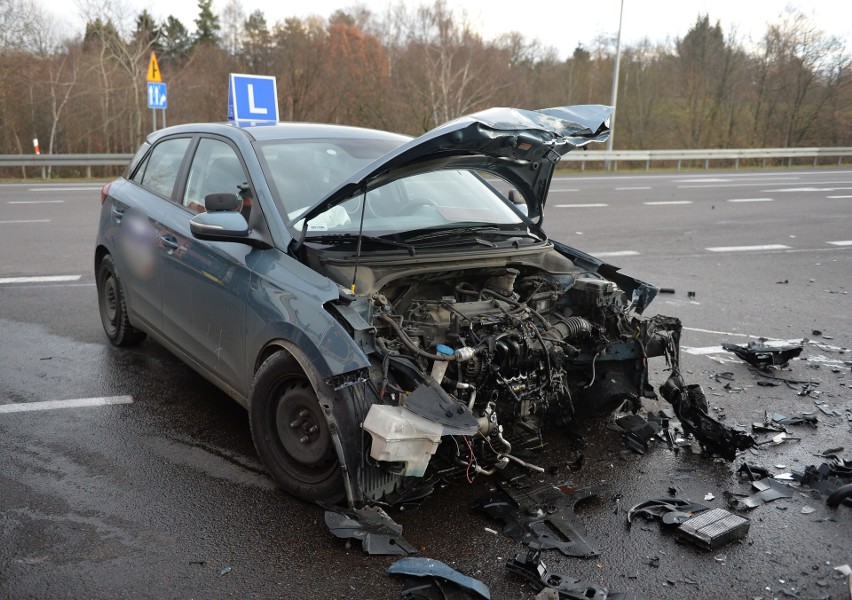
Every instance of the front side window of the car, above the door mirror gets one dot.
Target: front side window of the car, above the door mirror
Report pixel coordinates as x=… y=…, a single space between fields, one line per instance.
x=216 y=169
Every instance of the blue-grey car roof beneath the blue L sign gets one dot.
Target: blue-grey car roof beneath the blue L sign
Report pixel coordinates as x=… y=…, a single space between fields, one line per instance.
x=280 y=131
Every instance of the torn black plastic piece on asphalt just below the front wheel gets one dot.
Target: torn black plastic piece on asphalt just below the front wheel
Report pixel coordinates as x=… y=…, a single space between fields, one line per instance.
x=379 y=534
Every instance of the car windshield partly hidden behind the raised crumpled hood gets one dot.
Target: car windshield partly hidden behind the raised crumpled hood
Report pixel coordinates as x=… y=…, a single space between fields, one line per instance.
x=307 y=171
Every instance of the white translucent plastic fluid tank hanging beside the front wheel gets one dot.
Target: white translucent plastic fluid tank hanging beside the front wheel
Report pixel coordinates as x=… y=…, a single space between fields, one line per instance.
x=401 y=436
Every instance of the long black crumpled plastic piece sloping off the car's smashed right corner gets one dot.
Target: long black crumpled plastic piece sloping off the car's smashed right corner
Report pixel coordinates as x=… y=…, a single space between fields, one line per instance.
x=690 y=406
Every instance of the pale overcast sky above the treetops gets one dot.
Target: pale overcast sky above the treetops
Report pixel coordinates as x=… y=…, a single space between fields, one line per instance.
x=561 y=23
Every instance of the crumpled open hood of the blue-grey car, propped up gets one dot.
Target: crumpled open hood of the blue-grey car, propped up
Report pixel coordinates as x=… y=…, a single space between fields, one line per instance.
x=520 y=146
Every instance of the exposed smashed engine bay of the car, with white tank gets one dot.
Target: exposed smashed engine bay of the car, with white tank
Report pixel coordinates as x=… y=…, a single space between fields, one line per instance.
x=468 y=361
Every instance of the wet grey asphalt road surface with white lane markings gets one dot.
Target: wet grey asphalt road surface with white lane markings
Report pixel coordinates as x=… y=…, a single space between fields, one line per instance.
x=153 y=488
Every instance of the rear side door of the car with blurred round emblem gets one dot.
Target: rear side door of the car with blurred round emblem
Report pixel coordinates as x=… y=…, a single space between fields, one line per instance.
x=136 y=210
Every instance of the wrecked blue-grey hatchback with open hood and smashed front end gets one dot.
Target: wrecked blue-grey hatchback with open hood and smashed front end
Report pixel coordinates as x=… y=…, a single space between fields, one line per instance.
x=385 y=308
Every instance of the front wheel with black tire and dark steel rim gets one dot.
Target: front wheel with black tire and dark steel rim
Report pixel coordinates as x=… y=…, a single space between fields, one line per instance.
x=290 y=432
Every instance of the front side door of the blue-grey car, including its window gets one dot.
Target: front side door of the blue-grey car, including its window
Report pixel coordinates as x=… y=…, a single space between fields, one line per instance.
x=205 y=283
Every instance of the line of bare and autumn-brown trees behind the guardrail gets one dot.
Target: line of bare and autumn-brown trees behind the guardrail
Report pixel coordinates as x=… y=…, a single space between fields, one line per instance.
x=410 y=69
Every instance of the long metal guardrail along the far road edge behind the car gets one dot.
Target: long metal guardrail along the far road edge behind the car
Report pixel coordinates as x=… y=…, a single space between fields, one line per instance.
x=611 y=157
